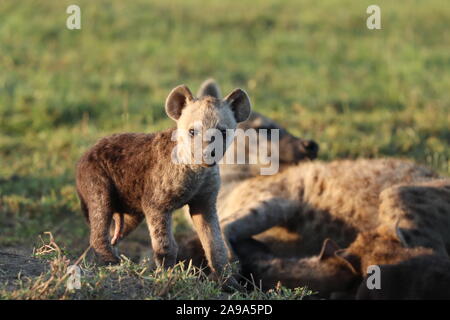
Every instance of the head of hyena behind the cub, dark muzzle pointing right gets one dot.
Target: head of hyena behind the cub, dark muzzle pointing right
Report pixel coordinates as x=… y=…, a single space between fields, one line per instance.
x=291 y=149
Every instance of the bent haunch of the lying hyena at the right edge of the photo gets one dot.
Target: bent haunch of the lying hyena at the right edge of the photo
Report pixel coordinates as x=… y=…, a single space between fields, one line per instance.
x=421 y=213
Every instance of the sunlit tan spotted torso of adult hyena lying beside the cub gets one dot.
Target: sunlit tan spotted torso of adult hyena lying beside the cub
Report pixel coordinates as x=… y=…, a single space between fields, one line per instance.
x=294 y=211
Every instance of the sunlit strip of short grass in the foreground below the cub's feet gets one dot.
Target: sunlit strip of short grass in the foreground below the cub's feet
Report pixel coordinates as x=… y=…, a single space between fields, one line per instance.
x=128 y=280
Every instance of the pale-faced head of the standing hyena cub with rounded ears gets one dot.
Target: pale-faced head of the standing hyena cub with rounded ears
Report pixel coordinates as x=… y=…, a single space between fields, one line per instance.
x=205 y=125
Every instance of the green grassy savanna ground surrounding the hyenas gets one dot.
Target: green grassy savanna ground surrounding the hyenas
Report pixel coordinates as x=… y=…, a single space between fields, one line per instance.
x=311 y=65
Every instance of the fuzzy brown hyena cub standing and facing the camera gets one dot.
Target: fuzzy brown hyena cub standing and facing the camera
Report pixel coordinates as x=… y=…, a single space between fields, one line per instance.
x=135 y=175
